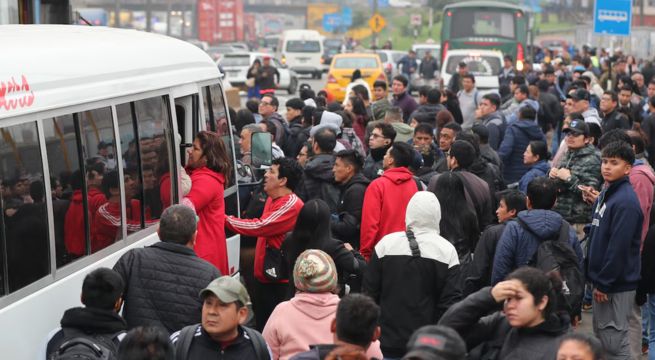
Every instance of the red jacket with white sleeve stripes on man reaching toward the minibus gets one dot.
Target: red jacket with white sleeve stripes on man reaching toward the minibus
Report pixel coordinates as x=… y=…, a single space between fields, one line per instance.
x=278 y=218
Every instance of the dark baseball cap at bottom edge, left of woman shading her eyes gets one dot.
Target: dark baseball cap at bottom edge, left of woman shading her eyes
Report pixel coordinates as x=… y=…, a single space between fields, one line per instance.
x=435 y=342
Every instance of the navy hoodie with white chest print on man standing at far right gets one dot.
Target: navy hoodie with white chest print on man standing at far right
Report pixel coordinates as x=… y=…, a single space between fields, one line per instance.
x=613 y=260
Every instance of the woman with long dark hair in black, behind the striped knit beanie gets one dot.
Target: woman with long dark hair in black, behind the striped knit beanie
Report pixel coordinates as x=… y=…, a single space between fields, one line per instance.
x=312 y=231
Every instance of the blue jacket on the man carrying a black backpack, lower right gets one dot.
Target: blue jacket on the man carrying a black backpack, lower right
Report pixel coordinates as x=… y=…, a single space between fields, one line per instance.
x=517 y=246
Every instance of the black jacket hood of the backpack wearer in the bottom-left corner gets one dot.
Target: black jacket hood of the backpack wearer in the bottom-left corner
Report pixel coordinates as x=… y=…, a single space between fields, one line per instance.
x=96 y=321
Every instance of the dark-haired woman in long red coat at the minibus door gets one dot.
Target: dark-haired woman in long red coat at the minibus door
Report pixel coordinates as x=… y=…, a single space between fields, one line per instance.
x=210 y=170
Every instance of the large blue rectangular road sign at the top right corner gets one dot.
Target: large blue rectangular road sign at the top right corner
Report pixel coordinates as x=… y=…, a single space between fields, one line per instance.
x=613 y=17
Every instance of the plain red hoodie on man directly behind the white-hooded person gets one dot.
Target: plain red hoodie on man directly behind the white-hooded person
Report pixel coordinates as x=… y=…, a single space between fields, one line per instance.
x=385 y=203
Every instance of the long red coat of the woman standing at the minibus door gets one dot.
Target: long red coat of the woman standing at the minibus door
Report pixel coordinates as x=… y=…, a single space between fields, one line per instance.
x=206 y=195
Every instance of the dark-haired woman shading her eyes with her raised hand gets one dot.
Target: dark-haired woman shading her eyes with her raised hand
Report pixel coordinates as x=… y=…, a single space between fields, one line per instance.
x=529 y=325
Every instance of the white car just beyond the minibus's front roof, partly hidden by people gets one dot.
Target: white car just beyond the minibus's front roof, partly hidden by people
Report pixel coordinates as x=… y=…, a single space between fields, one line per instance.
x=235 y=67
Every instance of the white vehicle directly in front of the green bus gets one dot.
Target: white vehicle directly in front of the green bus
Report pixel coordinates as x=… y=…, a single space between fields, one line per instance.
x=485 y=65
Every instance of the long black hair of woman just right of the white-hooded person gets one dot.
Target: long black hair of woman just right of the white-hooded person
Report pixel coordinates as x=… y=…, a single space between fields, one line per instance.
x=459 y=225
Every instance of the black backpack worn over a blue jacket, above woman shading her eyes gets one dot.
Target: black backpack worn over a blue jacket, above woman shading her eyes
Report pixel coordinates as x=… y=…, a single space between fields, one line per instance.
x=558 y=255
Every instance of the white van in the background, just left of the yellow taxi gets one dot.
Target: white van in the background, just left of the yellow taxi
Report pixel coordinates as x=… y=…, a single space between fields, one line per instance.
x=302 y=51
